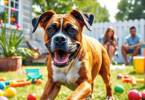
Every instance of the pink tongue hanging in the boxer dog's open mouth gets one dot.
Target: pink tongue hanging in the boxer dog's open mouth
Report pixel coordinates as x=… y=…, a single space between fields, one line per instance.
x=60 y=60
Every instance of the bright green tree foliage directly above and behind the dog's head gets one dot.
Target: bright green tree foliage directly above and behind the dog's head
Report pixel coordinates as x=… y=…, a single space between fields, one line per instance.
x=64 y=6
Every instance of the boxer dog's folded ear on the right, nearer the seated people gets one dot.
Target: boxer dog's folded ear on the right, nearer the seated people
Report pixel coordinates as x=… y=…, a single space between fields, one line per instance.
x=86 y=18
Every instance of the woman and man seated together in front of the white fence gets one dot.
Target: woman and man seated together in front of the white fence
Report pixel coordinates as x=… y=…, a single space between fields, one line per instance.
x=109 y=41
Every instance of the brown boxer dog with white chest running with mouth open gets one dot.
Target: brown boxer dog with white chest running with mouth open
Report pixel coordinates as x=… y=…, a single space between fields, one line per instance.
x=74 y=59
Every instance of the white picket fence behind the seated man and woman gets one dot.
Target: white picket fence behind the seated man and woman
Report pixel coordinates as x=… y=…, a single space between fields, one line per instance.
x=121 y=29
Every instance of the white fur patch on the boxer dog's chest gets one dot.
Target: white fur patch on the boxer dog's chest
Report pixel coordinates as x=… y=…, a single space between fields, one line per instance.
x=67 y=76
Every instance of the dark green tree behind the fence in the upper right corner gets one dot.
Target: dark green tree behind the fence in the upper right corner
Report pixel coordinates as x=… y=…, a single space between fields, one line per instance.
x=130 y=9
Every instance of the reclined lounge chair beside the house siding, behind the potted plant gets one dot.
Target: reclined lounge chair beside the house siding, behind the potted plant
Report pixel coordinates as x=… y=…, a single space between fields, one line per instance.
x=38 y=51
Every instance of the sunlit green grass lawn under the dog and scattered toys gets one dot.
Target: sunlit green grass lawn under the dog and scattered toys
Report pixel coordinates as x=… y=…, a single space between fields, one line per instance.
x=99 y=89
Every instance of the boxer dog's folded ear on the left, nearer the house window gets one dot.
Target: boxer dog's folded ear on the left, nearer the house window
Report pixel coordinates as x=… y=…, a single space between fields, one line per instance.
x=42 y=19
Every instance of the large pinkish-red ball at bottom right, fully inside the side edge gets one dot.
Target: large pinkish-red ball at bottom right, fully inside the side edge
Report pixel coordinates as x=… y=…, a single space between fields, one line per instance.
x=134 y=95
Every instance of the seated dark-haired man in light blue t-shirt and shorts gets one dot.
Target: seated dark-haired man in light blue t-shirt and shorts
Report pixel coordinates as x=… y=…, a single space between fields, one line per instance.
x=134 y=41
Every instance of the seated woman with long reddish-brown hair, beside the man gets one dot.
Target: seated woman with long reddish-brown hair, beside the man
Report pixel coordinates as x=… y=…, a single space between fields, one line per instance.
x=108 y=40
